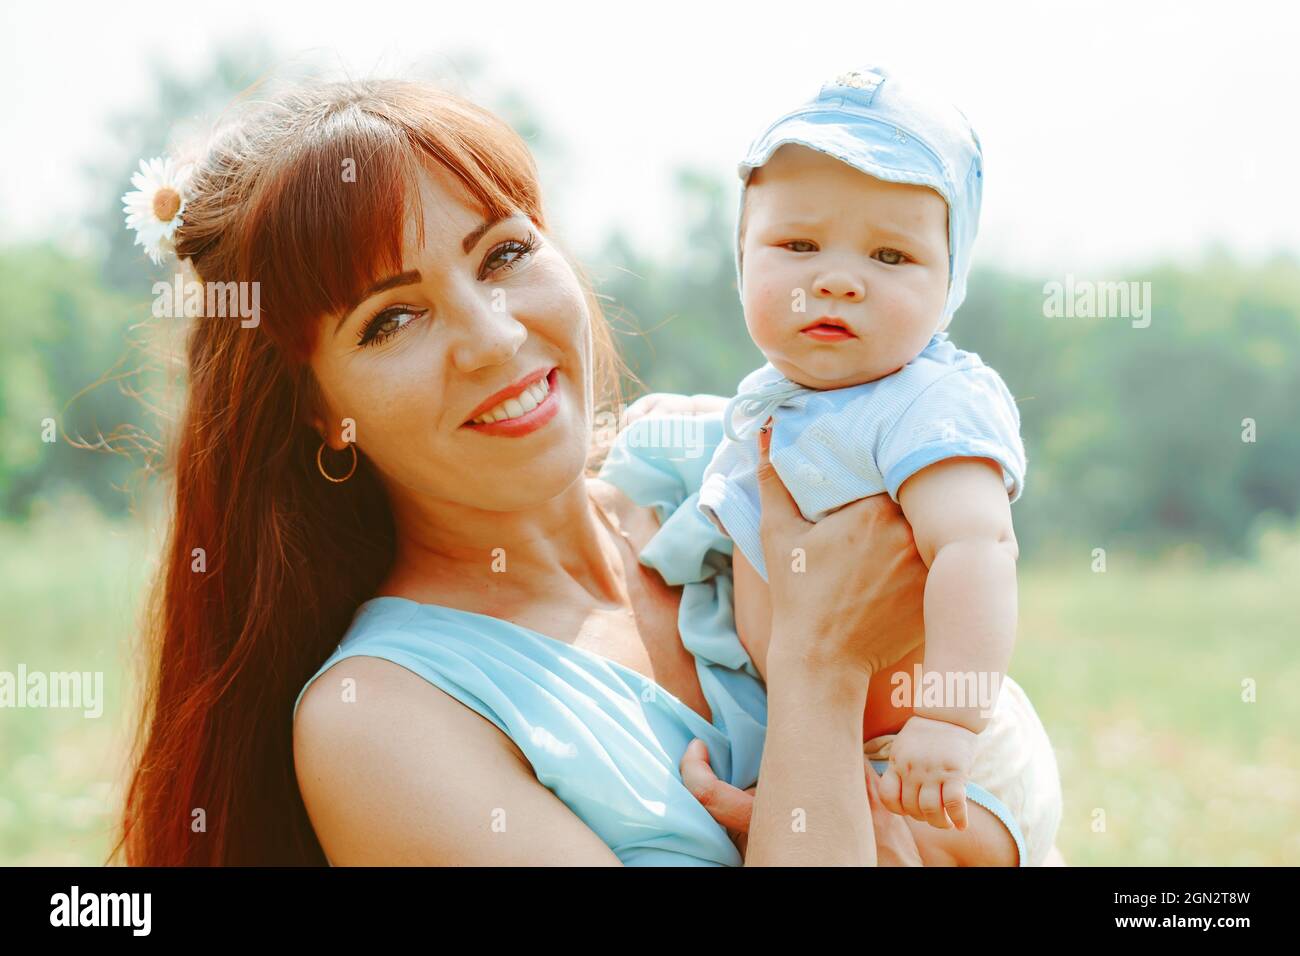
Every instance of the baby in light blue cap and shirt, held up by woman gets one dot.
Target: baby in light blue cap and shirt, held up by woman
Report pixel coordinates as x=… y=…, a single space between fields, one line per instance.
x=857 y=220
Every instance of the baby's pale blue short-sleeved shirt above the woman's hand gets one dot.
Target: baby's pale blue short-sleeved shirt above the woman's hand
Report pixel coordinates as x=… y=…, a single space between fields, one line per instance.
x=839 y=445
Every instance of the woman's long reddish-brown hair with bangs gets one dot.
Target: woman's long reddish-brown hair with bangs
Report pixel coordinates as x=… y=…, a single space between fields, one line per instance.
x=289 y=556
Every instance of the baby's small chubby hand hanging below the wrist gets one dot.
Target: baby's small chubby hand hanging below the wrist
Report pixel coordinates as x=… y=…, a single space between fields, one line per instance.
x=930 y=763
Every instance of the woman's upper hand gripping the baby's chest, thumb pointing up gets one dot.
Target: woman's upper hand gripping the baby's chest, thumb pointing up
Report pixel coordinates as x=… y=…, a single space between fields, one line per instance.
x=848 y=592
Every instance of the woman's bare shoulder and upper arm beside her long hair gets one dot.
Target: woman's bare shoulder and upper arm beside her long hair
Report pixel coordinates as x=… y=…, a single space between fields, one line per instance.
x=408 y=776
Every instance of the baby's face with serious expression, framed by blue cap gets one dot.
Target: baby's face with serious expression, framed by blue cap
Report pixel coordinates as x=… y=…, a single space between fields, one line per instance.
x=869 y=256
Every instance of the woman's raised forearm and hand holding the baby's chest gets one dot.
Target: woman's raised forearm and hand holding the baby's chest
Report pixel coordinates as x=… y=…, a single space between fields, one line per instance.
x=835 y=624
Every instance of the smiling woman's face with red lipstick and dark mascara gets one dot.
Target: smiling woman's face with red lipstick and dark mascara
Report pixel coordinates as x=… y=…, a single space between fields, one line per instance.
x=482 y=314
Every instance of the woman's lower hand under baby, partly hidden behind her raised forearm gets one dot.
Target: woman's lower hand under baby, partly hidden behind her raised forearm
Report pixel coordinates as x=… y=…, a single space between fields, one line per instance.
x=734 y=808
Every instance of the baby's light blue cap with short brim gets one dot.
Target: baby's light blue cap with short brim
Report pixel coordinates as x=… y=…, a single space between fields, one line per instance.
x=898 y=132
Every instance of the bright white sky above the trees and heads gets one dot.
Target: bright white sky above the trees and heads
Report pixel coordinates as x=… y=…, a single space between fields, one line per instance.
x=1115 y=133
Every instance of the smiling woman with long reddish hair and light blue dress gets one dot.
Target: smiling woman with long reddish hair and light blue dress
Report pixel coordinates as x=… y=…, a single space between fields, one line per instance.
x=397 y=455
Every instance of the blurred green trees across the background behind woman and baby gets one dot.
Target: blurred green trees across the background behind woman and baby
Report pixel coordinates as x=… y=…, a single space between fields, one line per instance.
x=1134 y=435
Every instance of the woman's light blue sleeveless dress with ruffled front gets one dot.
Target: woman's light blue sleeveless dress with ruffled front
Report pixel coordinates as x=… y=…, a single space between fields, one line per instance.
x=605 y=739
